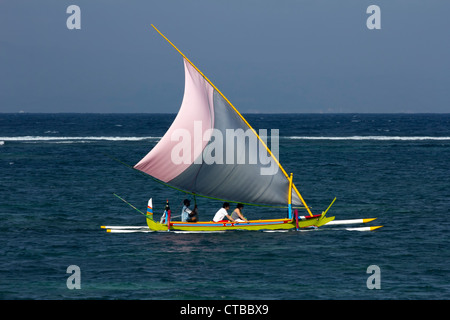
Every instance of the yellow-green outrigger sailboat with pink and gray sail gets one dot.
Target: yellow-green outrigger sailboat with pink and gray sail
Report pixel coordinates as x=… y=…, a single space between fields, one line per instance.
x=206 y=114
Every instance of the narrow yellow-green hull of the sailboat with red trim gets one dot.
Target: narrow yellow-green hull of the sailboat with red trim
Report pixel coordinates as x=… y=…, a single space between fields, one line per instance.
x=268 y=224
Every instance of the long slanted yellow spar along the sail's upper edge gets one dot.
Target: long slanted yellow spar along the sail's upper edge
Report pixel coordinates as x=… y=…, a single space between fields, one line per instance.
x=245 y=121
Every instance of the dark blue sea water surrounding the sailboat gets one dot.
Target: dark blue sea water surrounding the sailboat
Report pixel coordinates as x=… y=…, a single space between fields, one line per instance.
x=57 y=186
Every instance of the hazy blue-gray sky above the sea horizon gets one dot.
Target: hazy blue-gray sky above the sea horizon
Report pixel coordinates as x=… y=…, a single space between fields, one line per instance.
x=265 y=56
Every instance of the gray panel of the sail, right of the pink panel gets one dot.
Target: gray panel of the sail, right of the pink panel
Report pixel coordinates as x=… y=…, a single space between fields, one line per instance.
x=240 y=180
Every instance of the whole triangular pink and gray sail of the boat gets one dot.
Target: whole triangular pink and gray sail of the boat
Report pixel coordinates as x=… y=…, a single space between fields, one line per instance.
x=211 y=150
